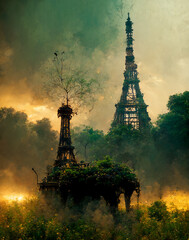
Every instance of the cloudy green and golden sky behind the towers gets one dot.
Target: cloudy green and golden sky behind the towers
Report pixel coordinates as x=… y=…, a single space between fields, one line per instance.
x=94 y=33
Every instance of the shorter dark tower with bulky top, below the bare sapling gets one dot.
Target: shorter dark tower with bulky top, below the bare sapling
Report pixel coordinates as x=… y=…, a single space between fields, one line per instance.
x=65 y=154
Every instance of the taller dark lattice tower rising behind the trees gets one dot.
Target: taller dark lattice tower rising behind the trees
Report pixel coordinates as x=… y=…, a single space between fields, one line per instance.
x=131 y=109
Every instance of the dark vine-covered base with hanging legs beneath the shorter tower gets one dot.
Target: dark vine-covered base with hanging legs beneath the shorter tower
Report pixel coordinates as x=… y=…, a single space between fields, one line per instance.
x=102 y=179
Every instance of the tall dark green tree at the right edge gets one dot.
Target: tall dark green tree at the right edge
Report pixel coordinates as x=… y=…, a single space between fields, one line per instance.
x=172 y=131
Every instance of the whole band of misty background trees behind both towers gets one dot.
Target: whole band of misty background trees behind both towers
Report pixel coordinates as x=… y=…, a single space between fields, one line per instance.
x=164 y=149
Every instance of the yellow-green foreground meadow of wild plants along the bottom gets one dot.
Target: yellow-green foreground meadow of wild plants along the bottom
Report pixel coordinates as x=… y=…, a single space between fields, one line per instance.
x=35 y=219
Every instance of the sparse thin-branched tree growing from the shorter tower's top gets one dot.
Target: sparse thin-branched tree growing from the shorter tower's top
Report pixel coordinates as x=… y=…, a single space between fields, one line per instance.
x=68 y=83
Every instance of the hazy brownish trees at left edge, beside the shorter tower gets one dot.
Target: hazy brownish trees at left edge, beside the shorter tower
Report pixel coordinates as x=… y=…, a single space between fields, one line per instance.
x=24 y=144
